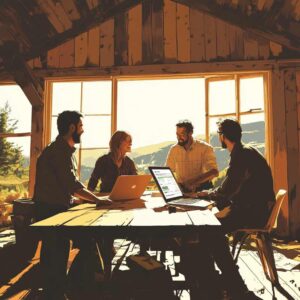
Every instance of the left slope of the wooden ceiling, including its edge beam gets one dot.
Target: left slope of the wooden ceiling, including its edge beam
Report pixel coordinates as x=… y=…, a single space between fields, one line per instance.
x=35 y=26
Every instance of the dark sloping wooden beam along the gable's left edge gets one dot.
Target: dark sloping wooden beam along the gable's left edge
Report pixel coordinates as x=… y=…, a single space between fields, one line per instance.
x=100 y=14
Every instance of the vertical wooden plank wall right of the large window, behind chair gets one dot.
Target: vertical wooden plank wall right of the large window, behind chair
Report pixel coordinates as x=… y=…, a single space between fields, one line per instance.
x=285 y=112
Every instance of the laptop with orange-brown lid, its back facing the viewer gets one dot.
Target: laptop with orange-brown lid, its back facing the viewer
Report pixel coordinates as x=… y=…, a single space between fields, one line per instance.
x=128 y=187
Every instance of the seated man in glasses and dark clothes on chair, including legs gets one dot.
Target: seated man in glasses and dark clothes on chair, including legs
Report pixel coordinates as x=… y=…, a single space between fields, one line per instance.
x=244 y=199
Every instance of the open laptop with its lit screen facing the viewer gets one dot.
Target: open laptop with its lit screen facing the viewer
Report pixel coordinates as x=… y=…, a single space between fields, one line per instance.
x=171 y=191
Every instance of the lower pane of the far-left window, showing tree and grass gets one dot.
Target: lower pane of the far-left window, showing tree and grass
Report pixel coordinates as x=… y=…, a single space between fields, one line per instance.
x=14 y=168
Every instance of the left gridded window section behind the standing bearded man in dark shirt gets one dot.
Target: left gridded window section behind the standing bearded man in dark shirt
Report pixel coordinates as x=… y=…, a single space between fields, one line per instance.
x=93 y=99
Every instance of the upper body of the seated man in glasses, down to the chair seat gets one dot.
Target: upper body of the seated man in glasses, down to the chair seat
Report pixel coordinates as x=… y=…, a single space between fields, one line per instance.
x=246 y=194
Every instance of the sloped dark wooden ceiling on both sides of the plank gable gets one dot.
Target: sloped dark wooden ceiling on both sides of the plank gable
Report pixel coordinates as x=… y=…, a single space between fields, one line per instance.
x=29 y=28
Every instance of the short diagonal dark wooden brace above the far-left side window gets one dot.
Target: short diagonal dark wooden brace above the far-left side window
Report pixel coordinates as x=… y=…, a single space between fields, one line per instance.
x=22 y=73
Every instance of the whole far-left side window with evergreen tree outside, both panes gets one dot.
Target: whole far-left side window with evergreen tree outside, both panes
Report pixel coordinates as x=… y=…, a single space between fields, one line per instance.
x=15 y=128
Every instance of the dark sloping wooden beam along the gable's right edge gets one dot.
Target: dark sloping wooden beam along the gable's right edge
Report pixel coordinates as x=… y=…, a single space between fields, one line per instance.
x=283 y=30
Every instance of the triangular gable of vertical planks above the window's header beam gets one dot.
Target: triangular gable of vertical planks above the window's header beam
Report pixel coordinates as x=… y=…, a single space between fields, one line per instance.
x=159 y=31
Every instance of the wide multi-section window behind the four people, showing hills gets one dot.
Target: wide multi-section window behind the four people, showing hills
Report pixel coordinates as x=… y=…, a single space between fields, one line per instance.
x=149 y=108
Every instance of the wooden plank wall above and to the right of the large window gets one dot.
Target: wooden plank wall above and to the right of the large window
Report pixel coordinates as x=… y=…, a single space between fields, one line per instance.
x=159 y=33
